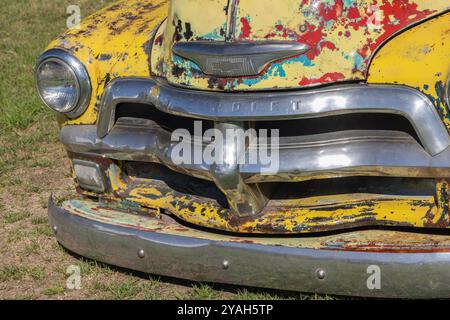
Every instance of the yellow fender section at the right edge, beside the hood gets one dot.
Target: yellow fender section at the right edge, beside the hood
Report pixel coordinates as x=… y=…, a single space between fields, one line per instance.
x=419 y=58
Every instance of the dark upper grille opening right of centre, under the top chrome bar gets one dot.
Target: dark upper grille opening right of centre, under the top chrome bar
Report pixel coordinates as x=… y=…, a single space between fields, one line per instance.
x=354 y=121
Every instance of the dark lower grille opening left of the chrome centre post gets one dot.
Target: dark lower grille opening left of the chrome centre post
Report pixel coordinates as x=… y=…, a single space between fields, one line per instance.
x=177 y=181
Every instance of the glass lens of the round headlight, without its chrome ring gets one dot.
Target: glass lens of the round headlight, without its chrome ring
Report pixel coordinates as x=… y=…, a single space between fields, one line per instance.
x=58 y=85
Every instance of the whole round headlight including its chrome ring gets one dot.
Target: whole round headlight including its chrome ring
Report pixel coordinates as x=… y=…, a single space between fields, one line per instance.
x=63 y=83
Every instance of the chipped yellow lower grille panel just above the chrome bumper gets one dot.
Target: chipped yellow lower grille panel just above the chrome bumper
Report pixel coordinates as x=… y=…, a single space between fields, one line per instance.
x=290 y=216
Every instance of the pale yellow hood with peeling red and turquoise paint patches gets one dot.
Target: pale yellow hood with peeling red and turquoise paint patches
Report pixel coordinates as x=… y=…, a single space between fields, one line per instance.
x=341 y=35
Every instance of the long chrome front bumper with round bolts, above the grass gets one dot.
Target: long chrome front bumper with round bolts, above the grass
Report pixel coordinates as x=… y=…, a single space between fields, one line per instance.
x=410 y=266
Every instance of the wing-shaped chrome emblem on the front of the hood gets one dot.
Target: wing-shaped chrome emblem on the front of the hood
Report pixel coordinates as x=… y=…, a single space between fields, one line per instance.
x=225 y=59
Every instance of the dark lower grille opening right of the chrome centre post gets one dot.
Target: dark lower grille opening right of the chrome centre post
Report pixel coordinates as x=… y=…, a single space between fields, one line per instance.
x=351 y=185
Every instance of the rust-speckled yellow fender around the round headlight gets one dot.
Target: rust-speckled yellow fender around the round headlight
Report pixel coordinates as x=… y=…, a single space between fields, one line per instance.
x=114 y=42
